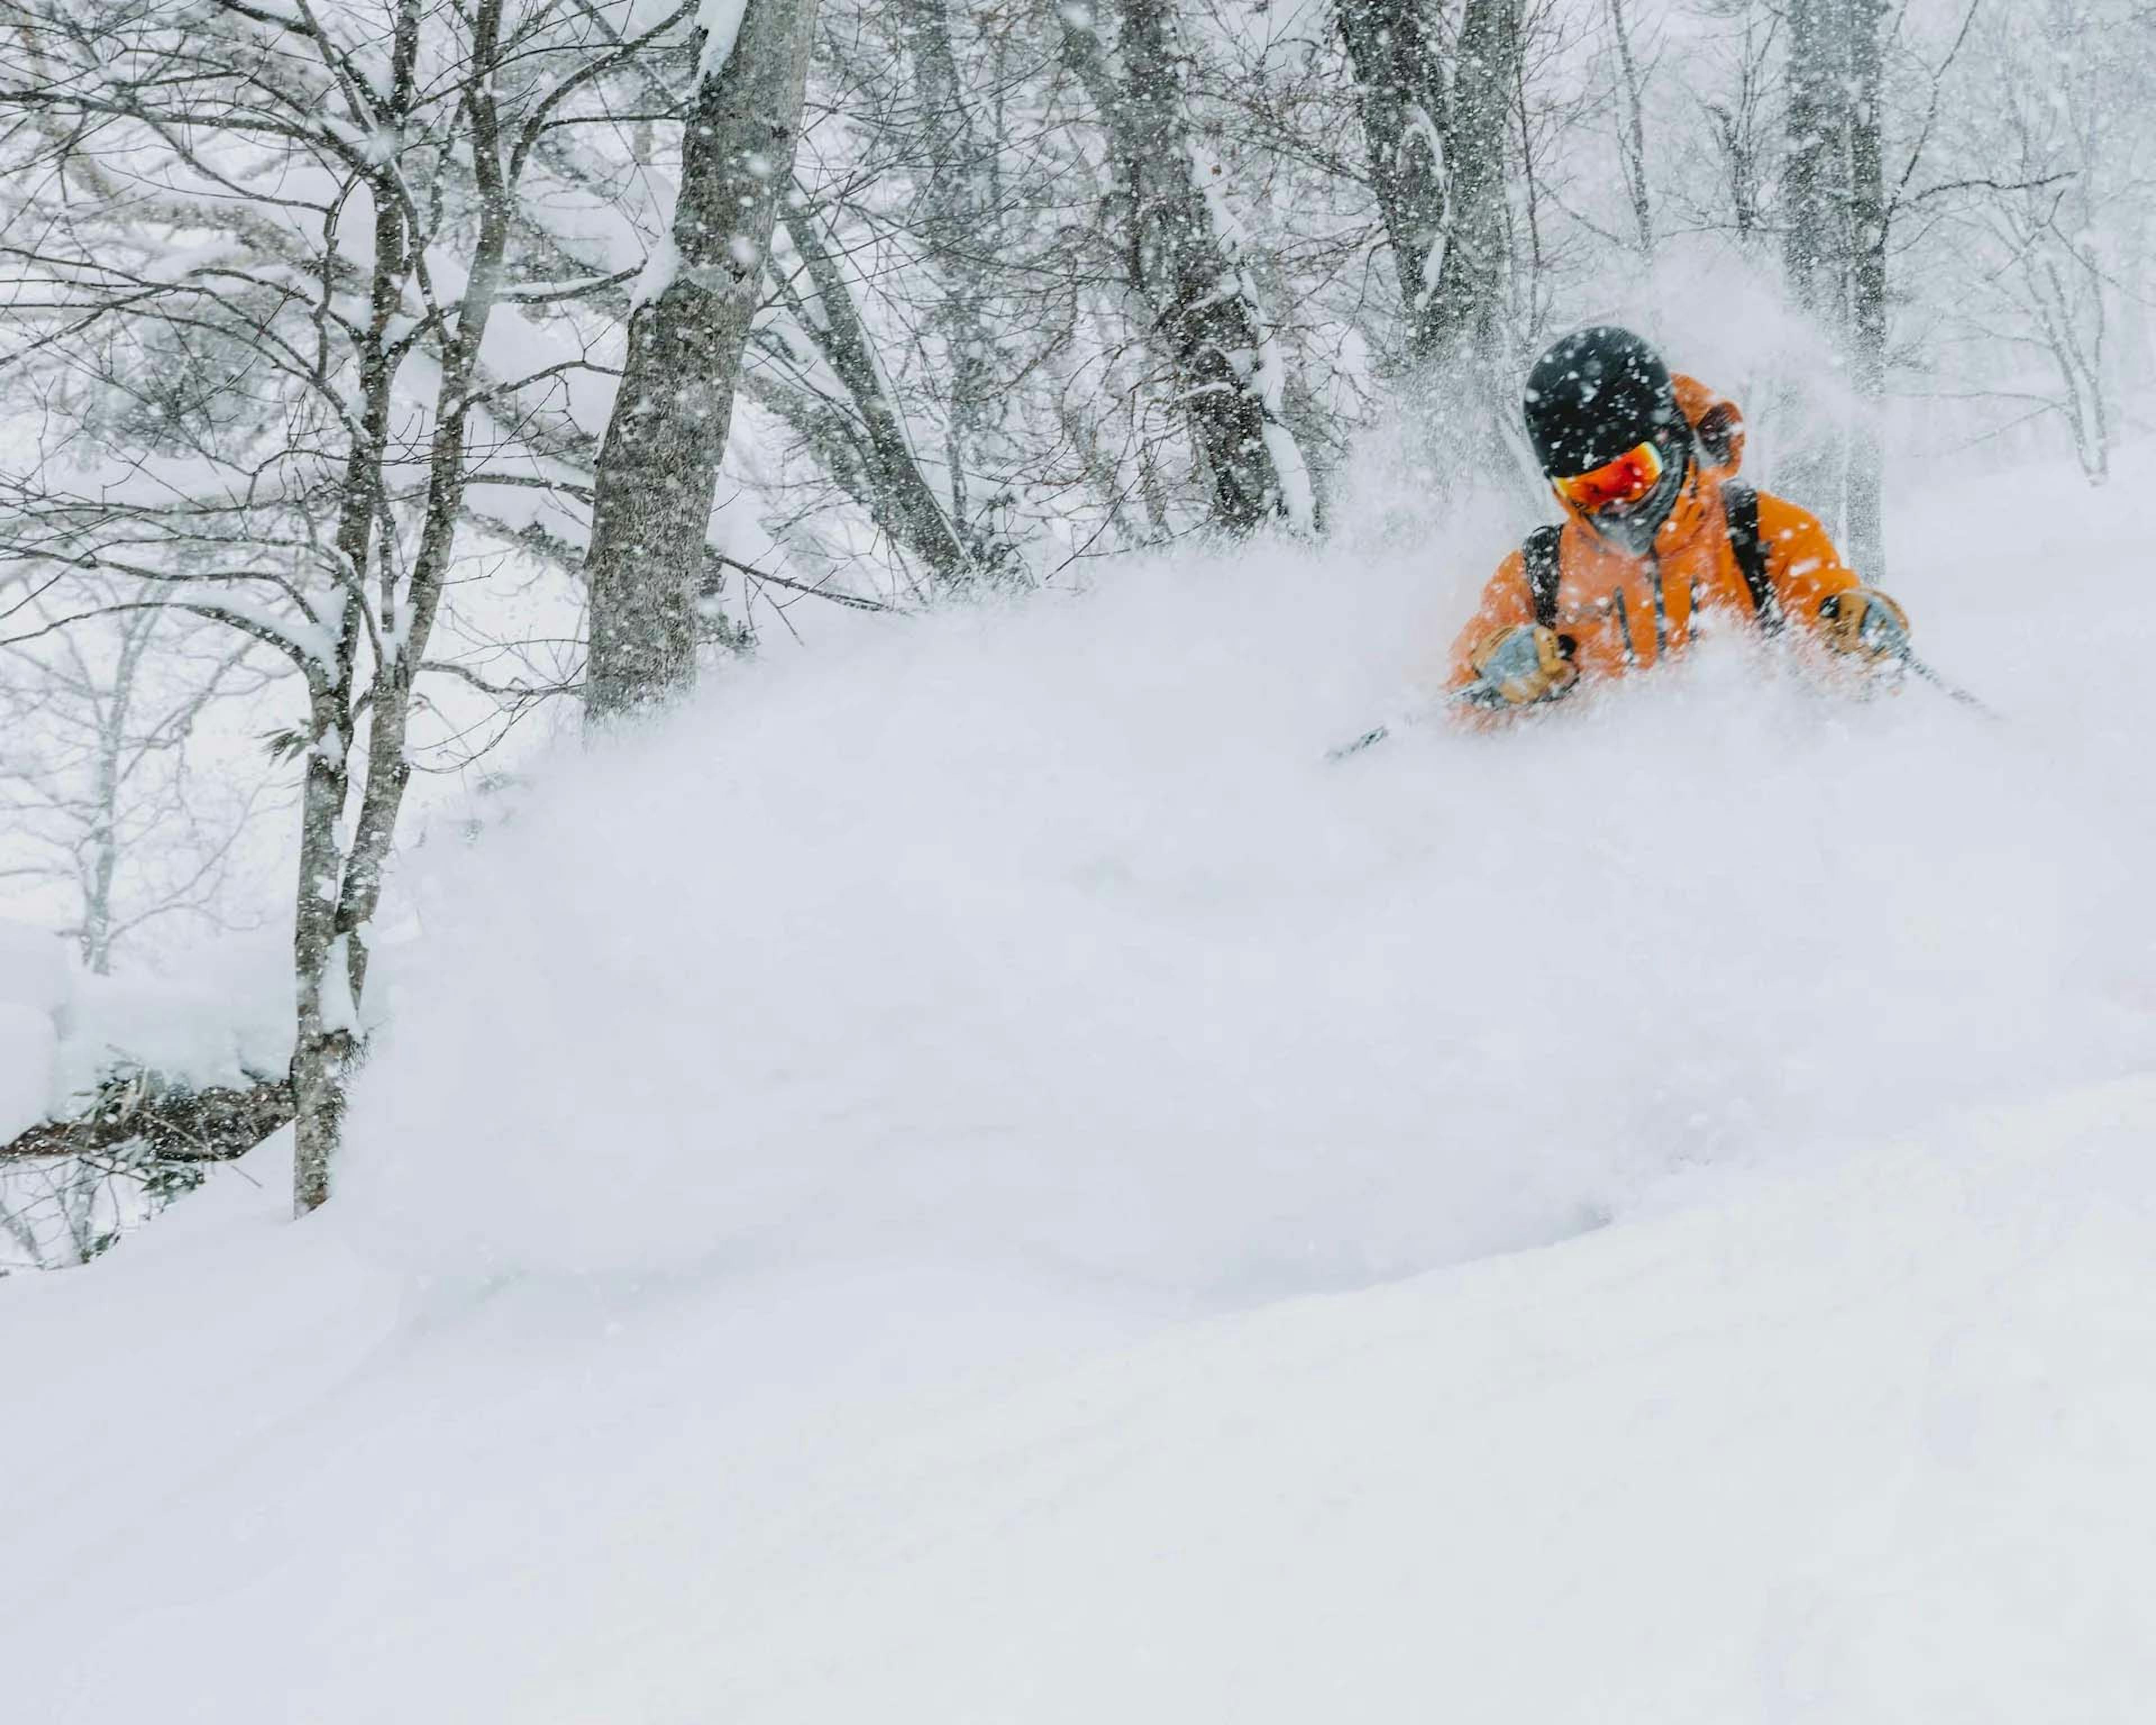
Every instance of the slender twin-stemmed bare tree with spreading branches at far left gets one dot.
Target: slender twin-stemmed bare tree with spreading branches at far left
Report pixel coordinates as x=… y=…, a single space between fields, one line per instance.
x=365 y=180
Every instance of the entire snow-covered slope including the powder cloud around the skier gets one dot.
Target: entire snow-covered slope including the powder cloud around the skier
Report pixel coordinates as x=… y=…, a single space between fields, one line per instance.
x=976 y=1178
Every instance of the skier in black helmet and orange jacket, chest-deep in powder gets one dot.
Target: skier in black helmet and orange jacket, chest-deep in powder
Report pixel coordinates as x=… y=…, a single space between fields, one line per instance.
x=1659 y=538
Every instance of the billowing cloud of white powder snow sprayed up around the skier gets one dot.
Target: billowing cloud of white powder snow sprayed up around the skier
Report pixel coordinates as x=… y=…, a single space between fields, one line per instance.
x=1049 y=937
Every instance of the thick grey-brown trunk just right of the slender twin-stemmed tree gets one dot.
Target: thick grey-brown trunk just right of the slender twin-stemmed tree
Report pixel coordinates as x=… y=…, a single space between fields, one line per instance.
x=659 y=467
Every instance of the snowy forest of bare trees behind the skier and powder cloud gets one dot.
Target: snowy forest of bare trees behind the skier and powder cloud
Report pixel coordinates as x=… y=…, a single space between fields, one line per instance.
x=396 y=387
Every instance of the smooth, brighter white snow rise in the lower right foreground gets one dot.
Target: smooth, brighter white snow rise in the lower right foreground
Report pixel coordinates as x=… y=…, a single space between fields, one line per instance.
x=1860 y=1448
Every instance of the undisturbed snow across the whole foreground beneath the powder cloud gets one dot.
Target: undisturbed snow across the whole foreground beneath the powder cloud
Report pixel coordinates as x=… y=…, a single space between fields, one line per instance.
x=1855 y=1441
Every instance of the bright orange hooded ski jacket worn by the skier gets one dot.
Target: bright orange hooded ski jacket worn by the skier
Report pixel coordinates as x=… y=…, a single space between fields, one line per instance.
x=1691 y=570
